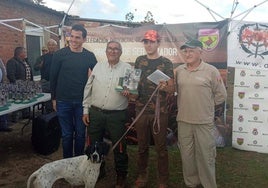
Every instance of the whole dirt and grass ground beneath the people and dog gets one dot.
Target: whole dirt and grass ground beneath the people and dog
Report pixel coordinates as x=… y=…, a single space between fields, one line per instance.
x=234 y=168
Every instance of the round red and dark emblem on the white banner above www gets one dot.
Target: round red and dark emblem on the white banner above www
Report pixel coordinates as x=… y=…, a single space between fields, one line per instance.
x=253 y=39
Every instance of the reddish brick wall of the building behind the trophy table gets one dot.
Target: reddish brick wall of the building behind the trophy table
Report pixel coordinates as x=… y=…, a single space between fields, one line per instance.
x=16 y=9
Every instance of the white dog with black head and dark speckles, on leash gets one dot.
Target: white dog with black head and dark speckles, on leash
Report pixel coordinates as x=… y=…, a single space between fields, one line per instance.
x=81 y=170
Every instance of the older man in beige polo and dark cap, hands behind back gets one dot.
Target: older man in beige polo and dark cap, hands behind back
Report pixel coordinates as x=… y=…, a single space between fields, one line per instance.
x=200 y=88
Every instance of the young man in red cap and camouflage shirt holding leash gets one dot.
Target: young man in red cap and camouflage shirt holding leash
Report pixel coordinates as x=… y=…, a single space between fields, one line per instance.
x=146 y=125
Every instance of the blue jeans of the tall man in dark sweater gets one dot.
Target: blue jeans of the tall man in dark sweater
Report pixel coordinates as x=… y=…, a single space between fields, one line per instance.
x=72 y=128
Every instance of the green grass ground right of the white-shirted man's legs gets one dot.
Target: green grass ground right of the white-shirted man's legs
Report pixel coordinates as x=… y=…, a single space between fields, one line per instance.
x=234 y=168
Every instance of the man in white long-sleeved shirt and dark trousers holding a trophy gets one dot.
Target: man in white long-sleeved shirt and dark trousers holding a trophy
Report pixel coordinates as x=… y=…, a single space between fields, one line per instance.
x=105 y=108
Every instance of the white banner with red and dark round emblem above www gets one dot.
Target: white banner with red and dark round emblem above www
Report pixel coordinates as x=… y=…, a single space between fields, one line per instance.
x=248 y=45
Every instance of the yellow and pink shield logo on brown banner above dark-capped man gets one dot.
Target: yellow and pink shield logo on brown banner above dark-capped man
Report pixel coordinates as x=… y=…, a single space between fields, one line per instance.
x=209 y=38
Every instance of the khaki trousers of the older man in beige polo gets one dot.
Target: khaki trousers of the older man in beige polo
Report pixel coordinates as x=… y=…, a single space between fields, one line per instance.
x=198 y=152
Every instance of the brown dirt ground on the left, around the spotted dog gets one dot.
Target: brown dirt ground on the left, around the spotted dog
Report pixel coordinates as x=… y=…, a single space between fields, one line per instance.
x=18 y=160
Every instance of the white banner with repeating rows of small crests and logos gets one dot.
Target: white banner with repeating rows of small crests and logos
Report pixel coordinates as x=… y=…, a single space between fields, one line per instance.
x=250 y=110
